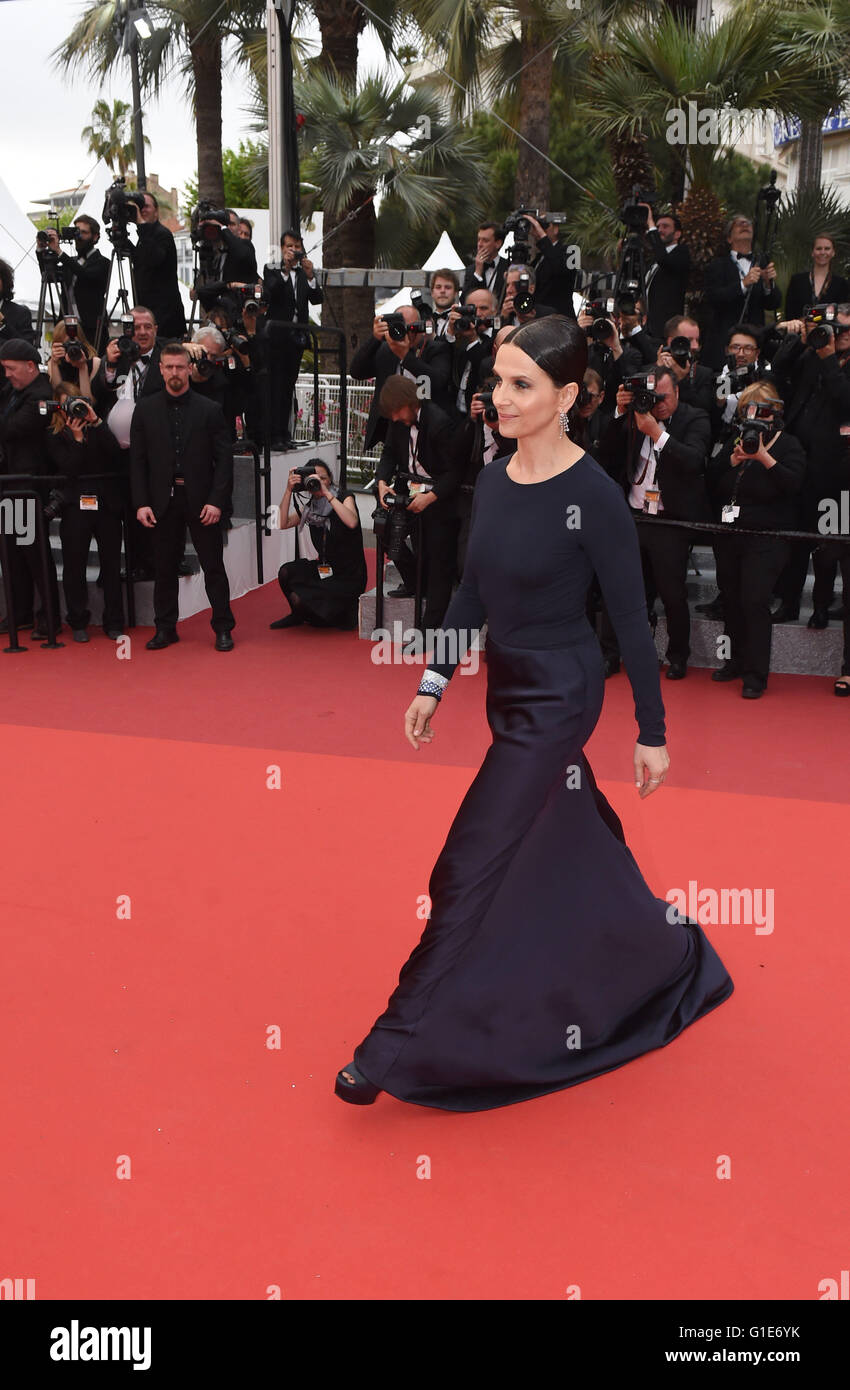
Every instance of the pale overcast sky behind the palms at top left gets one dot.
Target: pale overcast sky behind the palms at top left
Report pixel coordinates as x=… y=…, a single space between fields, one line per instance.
x=41 y=148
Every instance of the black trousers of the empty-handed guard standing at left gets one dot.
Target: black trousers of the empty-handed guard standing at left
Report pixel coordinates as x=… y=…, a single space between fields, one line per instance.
x=169 y=548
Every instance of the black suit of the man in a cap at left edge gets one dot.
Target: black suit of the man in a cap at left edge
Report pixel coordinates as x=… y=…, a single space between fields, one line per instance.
x=23 y=450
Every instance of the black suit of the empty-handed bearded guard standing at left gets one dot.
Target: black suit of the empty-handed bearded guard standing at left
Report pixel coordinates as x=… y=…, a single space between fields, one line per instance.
x=208 y=468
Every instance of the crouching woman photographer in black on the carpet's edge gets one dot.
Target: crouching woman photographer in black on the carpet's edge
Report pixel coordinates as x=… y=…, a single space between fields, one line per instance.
x=323 y=591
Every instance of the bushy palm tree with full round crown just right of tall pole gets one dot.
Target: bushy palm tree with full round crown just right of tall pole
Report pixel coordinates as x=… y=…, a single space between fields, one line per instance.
x=376 y=141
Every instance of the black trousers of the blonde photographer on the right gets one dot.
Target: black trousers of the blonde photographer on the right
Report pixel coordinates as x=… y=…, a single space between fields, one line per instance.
x=748 y=568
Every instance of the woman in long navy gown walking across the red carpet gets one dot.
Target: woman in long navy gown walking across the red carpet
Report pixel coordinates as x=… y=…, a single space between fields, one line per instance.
x=547 y=960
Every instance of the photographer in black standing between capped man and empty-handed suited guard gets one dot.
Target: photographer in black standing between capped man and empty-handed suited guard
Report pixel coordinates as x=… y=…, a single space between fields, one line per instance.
x=78 y=444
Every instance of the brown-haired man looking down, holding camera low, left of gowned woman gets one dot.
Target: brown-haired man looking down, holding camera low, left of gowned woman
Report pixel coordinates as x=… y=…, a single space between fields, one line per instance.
x=420 y=441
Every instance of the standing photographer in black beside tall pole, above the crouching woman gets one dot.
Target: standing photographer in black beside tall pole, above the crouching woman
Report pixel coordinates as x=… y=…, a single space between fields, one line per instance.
x=288 y=293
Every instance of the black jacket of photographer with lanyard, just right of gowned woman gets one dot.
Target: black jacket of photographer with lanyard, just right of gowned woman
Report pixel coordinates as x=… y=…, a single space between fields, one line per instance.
x=681 y=472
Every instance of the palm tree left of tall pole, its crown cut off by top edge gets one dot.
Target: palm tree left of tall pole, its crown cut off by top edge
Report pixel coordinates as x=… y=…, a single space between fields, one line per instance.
x=194 y=34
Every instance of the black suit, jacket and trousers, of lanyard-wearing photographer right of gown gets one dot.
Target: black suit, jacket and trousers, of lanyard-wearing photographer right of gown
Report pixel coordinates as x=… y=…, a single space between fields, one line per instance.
x=681 y=477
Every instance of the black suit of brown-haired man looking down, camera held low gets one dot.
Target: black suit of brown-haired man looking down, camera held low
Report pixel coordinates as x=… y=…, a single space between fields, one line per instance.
x=437 y=452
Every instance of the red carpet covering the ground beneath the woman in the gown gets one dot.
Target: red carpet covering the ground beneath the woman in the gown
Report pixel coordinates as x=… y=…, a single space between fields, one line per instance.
x=294 y=908
